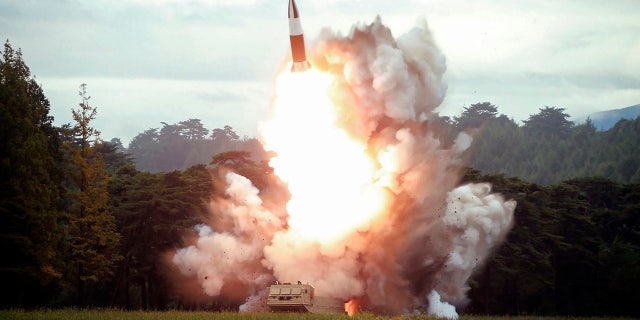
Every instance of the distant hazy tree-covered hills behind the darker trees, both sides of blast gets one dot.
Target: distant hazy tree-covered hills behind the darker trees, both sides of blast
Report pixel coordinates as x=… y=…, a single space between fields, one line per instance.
x=547 y=149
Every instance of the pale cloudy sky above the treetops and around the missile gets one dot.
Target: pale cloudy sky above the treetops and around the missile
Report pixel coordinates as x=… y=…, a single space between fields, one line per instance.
x=152 y=61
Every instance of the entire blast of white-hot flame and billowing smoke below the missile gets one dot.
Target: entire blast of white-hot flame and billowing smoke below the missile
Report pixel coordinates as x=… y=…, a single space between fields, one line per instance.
x=375 y=217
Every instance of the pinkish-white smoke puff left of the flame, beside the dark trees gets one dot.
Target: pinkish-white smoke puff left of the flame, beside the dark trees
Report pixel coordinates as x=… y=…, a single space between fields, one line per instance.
x=233 y=252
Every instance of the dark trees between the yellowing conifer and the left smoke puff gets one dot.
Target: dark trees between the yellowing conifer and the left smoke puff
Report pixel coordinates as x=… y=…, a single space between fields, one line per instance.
x=153 y=211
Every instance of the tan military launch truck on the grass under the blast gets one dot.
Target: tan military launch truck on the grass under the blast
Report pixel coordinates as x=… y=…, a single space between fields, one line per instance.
x=287 y=297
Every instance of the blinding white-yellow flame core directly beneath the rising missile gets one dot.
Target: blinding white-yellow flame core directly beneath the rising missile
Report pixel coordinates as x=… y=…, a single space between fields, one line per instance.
x=331 y=175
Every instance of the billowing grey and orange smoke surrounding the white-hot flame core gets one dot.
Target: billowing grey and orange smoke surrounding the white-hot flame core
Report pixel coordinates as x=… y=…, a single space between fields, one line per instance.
x=417 y=254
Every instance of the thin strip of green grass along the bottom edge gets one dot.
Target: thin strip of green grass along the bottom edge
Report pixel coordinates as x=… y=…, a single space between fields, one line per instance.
x=90 y=314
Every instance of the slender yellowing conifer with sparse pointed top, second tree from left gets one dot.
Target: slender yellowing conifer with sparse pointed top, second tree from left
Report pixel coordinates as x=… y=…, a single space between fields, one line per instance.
x=91 y=230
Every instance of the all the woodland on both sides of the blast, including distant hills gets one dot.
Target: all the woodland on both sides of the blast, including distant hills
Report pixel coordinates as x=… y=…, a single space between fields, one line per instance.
x=86 y=222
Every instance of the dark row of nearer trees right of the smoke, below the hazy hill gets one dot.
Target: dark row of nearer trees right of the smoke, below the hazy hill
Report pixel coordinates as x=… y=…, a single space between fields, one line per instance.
x=573 y=250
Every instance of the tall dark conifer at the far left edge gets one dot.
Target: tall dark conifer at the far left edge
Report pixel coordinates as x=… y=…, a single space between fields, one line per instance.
x=30 y=184
